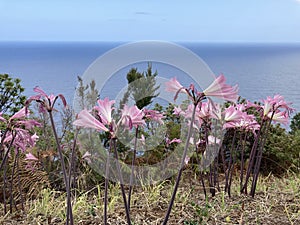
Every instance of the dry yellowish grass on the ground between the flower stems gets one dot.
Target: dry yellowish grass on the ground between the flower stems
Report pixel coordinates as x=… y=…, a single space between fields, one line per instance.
x=277 y=202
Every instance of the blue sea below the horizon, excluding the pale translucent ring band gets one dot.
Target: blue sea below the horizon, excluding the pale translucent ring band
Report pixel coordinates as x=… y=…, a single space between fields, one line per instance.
x=260 y=70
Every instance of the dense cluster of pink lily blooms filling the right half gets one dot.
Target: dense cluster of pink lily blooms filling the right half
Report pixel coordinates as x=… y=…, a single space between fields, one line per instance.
x=234 y=116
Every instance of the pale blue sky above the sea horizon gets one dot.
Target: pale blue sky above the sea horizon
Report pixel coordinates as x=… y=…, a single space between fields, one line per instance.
x=133 y=20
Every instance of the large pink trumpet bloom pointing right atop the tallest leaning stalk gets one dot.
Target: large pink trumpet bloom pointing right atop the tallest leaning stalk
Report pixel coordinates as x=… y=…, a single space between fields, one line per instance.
x=219 y=89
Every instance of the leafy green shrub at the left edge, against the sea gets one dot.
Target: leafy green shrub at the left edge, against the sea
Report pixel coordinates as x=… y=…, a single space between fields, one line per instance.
x=11 y=98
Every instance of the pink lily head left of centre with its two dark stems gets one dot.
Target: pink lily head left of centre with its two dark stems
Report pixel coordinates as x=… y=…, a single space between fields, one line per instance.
x=103 y=121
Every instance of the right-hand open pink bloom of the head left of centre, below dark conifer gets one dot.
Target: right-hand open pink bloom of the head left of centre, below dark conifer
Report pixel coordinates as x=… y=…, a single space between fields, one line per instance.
x=132 y=116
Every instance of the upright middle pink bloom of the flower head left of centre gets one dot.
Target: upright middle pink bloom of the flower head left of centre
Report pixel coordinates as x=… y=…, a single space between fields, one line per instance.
x=104 y=109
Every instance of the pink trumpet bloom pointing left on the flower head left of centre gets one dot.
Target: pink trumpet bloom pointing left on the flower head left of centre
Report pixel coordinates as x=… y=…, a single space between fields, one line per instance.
x=85 y=119
